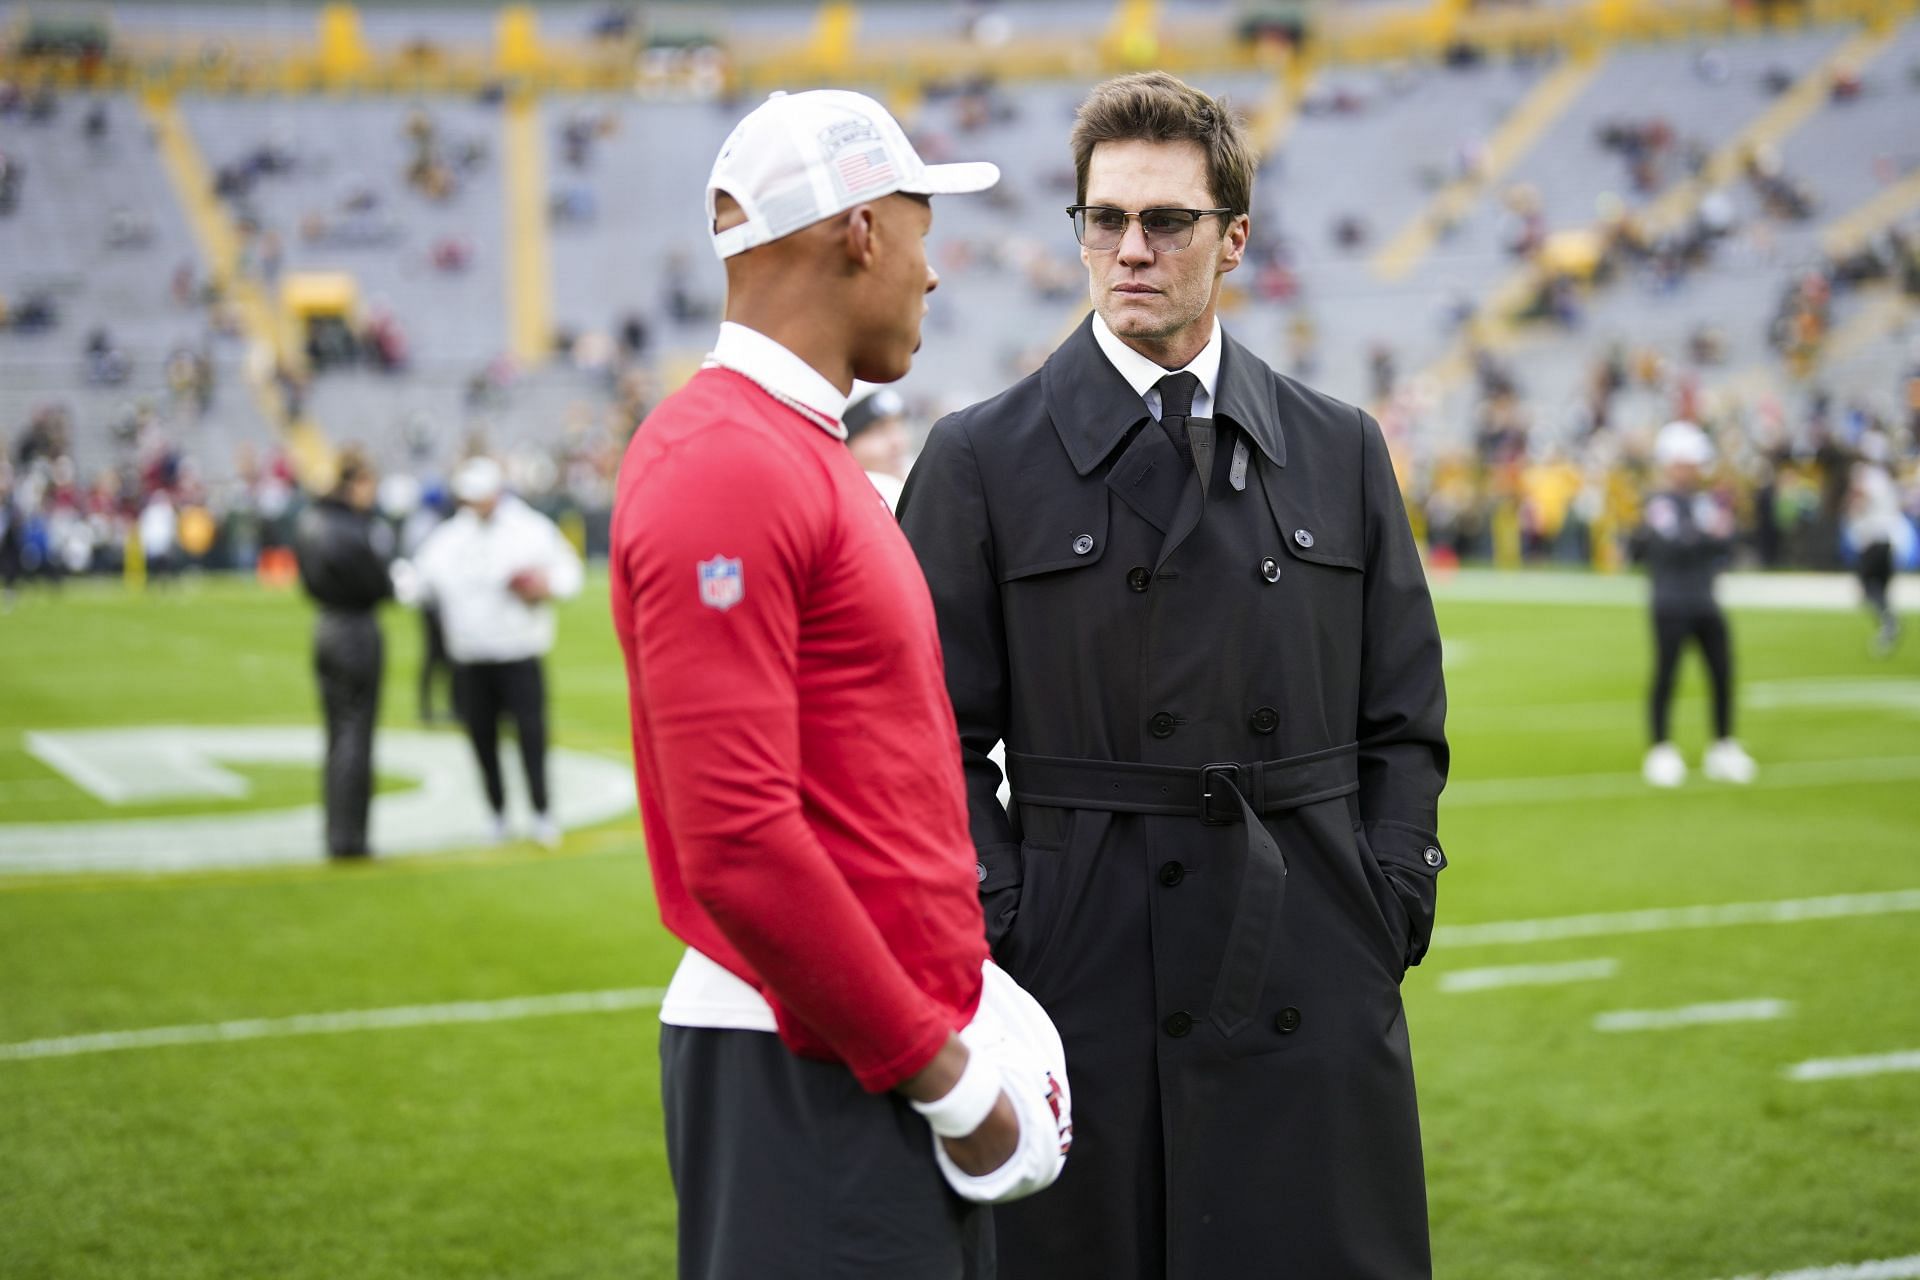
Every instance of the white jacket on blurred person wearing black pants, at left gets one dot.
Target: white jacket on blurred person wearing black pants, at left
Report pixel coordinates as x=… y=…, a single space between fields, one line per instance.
x=466 y=567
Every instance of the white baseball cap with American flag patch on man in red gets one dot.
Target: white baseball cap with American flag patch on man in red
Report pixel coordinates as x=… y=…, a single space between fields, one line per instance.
x=804 y=158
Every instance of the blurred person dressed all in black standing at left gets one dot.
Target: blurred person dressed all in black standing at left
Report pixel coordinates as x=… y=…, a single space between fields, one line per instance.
x=343 y=561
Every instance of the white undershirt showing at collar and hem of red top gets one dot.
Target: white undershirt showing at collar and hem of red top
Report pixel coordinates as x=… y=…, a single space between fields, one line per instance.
x=706 y=993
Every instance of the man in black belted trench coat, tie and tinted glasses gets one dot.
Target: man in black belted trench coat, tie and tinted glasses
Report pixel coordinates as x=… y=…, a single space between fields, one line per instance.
x=1224 y=721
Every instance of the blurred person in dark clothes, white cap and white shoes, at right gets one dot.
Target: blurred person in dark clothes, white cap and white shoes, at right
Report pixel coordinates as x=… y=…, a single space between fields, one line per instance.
x=1685 y=542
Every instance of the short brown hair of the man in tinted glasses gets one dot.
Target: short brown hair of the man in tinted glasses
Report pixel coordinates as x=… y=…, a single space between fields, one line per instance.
x=1153 y=107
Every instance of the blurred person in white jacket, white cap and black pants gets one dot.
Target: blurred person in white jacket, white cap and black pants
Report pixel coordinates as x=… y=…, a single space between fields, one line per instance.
x=494 y=571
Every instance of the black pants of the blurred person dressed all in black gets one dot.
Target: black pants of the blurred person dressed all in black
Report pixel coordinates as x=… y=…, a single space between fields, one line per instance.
x=347 y=659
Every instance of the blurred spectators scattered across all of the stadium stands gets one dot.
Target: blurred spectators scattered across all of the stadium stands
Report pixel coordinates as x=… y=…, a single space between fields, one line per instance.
x=1531 y=483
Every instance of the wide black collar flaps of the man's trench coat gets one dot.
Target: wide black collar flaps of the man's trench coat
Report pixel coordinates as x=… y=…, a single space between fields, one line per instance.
x=1093 y=408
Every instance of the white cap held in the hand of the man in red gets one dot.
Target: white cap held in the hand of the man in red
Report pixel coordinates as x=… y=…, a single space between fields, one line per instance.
x=1013 y=1033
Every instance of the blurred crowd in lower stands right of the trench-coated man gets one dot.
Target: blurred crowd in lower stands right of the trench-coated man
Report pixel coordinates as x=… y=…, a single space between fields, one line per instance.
x=1533 y=492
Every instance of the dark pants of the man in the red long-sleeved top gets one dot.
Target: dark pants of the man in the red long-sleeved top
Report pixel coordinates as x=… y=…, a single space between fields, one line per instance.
x=788 y=1170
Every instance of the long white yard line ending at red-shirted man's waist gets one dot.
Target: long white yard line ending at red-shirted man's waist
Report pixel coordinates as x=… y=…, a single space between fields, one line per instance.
x=335 y=1024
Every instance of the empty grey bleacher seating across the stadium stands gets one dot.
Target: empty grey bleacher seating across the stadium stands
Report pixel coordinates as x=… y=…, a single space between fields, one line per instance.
x=1372 y=147
